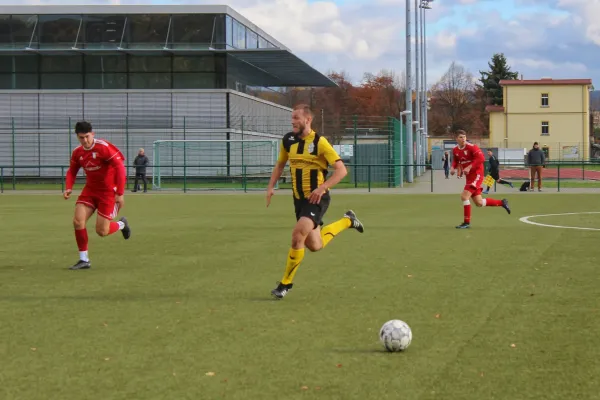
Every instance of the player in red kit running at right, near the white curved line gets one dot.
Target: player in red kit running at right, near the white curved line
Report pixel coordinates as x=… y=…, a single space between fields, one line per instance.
x=471 y=159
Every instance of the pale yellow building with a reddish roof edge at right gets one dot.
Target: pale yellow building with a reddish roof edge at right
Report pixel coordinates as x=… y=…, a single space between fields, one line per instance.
x=553 y=112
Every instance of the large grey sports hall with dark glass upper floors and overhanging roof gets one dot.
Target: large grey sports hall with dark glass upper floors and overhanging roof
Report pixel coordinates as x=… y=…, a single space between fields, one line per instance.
x=138 y=73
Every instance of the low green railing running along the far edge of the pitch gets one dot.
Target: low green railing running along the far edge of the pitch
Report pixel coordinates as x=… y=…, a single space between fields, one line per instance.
x=556 y=175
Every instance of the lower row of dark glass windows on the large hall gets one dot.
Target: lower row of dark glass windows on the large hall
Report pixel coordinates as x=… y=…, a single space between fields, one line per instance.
x=91 y=71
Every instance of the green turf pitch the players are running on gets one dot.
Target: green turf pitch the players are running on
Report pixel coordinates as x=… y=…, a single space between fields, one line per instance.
x=182 y=310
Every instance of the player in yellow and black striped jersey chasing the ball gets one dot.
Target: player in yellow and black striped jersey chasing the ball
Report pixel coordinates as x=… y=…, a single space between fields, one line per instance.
x=309 y=155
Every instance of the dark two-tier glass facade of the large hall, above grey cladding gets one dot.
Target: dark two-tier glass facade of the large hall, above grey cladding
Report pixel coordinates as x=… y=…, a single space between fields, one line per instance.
x=103 y=61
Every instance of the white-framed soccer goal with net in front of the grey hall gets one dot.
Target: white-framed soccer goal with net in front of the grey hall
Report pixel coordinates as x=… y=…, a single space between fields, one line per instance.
x=213 y=164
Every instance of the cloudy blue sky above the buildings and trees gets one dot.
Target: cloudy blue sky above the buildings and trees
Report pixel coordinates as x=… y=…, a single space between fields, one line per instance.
x=541 y=38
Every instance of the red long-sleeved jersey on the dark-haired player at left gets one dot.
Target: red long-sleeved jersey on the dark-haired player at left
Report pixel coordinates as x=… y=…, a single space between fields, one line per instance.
x=103 y=166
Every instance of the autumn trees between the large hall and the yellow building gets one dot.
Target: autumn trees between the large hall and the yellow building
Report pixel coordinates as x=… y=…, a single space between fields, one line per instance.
x=456 y=101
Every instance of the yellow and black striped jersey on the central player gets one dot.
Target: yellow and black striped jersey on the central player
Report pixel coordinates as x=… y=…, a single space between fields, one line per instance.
x=309 y=159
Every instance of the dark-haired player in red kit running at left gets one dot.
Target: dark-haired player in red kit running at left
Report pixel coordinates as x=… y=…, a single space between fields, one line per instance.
x=103 y=191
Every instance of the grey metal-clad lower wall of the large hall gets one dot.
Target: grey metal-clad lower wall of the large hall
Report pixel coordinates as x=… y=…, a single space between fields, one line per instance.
x=37 y=126
